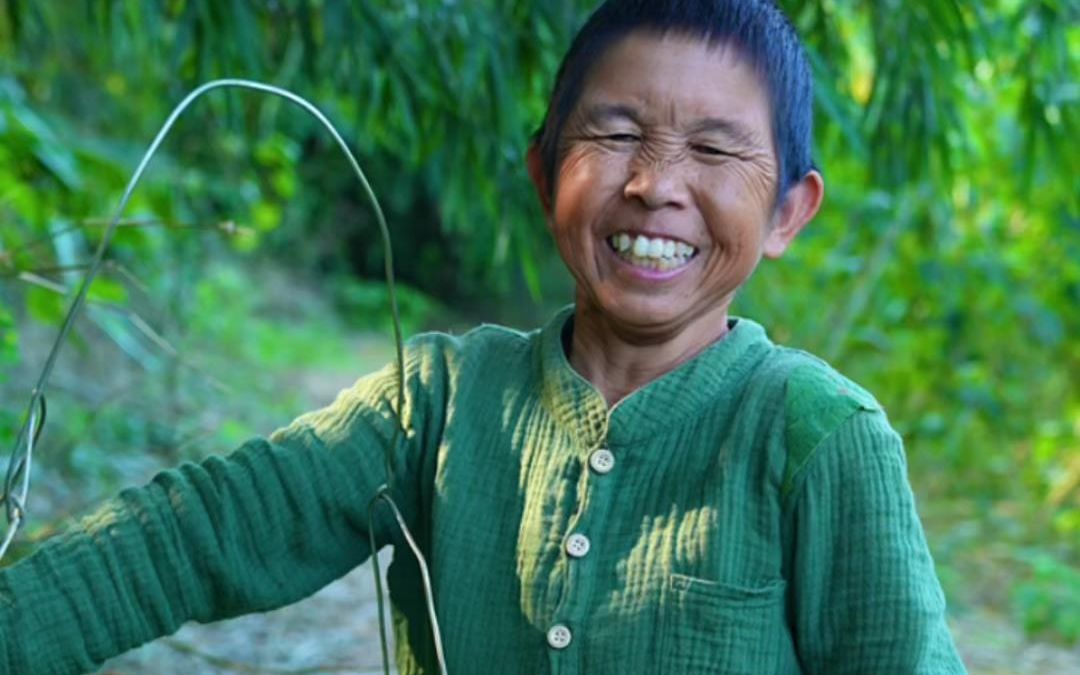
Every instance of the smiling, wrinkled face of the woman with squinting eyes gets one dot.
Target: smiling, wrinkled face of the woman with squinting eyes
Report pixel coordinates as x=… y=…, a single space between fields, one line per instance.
x=665 y=197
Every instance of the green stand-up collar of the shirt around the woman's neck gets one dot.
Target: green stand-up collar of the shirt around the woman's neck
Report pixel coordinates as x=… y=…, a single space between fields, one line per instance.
x=708 y=380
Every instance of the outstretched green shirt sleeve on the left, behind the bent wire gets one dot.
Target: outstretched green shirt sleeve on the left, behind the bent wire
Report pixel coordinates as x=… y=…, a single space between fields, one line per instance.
x=264 y=528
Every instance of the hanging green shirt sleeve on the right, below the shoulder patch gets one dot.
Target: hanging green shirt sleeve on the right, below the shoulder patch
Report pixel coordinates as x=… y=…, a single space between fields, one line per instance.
x=867 y=599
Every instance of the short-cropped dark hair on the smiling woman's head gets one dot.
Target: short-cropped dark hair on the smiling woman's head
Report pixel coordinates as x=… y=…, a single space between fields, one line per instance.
x=758 y=29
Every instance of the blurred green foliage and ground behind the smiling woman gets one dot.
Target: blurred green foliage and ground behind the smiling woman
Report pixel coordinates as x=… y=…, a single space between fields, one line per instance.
x=245 y=287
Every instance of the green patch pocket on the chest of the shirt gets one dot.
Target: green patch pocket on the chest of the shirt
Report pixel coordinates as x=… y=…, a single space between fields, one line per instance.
x=722 y=629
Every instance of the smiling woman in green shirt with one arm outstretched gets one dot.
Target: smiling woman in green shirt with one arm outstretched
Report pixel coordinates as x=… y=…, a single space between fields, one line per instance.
x=645 y=485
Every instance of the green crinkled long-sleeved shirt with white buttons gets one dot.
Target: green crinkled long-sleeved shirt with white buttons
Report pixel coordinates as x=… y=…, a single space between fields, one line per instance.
x=748 y=512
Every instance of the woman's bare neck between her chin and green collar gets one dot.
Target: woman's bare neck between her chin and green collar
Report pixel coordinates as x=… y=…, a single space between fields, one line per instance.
x=618 y=362
